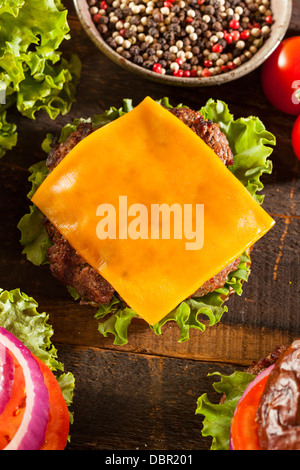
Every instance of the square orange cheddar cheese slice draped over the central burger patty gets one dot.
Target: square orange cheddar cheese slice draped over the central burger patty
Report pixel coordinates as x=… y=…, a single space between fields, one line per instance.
x=131 y=196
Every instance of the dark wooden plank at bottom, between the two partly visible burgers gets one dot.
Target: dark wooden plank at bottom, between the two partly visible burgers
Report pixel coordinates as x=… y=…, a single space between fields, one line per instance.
x=133 y=402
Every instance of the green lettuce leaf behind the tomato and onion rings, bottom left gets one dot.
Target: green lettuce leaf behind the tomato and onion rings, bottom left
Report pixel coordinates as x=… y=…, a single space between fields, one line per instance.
x=19 y=315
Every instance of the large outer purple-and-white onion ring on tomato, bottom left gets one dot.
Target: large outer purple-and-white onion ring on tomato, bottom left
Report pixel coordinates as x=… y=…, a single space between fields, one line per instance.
x=31 y=432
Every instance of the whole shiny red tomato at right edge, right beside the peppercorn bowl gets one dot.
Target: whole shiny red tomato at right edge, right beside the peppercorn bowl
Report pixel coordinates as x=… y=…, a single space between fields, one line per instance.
x=281 y=76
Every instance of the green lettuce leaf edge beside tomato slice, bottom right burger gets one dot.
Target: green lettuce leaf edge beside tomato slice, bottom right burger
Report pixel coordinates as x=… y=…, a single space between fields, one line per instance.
x=218 y=417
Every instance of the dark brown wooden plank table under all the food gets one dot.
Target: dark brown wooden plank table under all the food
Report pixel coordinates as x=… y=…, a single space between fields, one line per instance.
x=143 y=395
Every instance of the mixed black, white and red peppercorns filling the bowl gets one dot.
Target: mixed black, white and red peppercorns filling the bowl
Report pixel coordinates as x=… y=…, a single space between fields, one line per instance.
x=184 y=38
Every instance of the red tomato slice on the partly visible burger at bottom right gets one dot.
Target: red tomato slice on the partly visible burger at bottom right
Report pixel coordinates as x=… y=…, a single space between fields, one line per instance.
x=244 y=428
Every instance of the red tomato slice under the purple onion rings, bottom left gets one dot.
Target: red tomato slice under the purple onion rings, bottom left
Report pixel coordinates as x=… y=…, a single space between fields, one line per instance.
x=58 y=425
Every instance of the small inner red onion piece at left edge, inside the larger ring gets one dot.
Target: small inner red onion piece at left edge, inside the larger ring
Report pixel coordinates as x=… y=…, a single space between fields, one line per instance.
x=7 y=370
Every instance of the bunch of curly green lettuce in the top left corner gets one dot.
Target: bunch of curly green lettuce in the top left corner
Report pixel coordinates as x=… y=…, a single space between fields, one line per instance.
x=33 y=74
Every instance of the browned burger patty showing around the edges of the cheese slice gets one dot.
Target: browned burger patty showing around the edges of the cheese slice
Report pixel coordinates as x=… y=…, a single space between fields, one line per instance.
x=70 y=268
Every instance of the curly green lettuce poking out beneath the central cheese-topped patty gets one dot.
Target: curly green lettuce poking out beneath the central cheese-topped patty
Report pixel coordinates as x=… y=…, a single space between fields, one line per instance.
x=251 y=144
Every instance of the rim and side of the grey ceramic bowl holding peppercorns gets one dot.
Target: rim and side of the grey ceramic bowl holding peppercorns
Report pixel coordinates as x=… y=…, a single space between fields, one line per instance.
x=282 y=10
